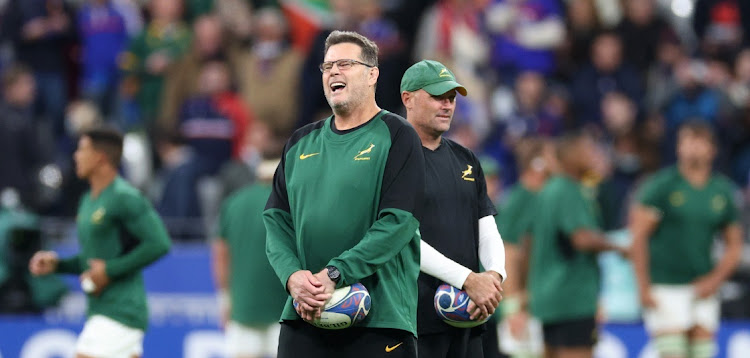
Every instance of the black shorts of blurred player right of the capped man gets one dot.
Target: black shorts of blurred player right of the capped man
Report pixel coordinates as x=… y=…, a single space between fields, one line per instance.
x=572 y=333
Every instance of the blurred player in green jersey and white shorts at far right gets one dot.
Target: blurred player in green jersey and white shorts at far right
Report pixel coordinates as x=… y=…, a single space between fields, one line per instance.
x=679 y=212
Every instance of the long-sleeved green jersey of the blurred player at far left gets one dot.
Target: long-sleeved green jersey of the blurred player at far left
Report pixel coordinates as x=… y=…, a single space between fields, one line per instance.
x=120 y=227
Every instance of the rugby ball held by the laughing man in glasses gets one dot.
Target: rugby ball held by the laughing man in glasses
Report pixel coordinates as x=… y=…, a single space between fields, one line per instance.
x=347 y=306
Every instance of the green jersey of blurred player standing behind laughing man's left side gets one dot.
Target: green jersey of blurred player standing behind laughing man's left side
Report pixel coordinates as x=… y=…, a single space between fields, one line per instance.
x=241 y=225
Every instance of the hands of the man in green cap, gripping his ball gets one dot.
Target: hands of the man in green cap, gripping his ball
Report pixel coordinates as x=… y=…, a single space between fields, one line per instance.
x=484 y=289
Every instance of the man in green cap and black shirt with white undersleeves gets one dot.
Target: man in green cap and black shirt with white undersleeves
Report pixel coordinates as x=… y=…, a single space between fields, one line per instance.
x=458 y=228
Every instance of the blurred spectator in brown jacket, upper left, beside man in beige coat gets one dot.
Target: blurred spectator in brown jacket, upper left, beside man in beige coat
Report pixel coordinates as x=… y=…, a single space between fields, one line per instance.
x=181 y=80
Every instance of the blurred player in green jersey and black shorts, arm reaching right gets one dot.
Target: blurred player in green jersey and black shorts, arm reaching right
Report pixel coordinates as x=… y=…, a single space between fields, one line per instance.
x=563 y=281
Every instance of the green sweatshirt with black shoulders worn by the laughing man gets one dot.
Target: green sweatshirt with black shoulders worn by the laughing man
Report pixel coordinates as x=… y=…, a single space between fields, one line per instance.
x=350 y=199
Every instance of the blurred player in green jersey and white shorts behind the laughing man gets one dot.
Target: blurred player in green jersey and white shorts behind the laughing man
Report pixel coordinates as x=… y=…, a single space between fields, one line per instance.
x=241 y=269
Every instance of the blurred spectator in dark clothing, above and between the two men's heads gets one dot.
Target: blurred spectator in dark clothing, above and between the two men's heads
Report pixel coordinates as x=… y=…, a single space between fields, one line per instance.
x=392 y=59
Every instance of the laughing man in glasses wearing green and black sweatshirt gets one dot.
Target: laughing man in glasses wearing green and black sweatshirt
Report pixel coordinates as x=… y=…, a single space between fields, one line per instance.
x=345 y=208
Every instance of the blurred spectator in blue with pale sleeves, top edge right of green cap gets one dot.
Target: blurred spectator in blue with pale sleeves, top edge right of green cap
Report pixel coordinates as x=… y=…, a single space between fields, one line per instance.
x=525 y=34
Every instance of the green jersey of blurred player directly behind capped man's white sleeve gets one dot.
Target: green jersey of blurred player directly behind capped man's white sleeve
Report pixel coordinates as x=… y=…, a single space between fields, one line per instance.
x=516 y=214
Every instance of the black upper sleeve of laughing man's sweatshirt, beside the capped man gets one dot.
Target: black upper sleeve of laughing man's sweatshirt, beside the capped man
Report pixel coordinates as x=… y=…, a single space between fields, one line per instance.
x=403 y=177
